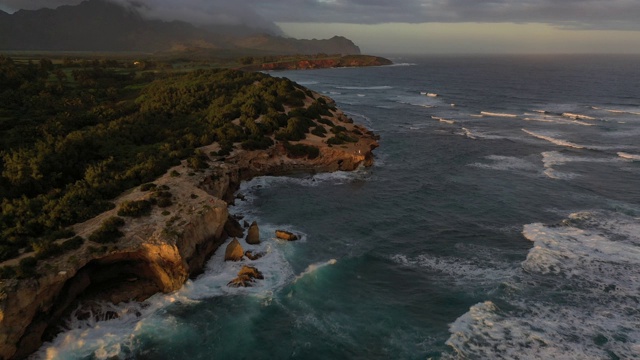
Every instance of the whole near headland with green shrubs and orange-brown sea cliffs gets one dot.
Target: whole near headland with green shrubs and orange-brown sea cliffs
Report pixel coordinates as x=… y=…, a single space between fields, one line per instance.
x=117 y=186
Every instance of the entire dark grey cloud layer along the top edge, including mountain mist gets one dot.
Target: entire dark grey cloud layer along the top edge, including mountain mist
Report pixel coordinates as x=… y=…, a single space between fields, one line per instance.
x=588 y=14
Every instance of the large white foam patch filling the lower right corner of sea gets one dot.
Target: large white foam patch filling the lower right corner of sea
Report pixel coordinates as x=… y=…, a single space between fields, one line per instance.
x=578 y=296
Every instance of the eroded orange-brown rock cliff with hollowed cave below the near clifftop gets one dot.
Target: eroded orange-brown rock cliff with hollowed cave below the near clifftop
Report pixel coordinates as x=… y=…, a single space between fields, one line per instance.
x=158 y=252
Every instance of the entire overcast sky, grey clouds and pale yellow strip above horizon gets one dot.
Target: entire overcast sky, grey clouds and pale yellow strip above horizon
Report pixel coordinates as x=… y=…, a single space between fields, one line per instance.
x=421 y=26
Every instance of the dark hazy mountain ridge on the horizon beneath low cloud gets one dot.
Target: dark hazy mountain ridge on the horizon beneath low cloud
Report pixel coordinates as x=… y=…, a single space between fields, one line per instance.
x=100 y=25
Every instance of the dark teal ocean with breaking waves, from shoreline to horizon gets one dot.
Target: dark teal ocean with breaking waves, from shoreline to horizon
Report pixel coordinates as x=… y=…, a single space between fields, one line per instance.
x=491 y=226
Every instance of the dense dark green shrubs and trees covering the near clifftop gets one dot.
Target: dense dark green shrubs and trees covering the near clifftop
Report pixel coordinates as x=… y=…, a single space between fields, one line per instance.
x=74 y=134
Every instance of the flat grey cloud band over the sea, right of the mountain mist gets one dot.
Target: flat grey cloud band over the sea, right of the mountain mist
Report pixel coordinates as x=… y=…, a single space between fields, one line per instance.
x=588 y=14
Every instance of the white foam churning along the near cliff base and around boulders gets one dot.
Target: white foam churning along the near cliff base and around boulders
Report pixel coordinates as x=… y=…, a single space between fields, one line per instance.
x=117 y=337
